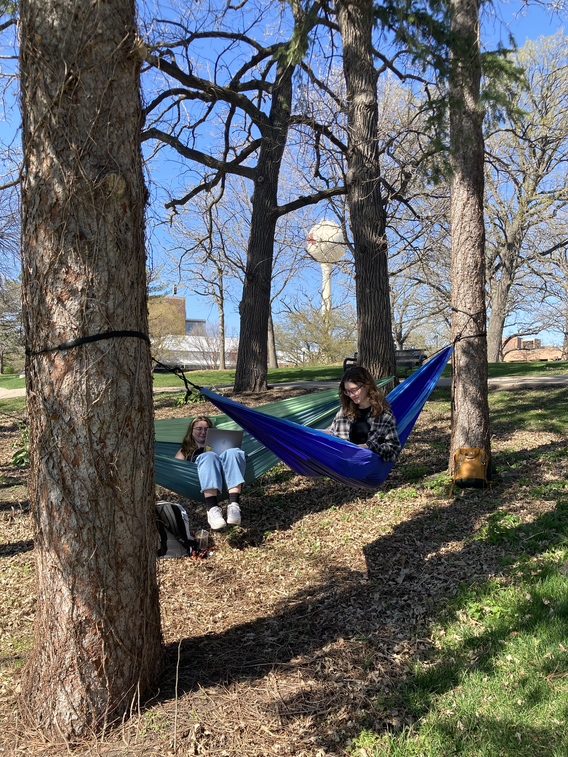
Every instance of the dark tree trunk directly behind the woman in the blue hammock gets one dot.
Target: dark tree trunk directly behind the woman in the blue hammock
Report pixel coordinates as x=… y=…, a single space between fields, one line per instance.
x=367 y=218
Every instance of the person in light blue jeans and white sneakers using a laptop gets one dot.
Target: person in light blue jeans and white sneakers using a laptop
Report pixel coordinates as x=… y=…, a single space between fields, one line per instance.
x=212 y=468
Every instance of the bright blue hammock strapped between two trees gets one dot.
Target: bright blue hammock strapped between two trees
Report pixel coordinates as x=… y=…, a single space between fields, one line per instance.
x=313 y=453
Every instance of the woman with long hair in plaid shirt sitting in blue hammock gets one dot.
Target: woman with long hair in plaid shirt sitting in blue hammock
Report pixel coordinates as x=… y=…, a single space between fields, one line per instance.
x=365 y=417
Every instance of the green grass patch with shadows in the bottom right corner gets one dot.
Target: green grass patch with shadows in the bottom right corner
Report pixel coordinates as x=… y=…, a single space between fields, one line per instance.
x=496 y=682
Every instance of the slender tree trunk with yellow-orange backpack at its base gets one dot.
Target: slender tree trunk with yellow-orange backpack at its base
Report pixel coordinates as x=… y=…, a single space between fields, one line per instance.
x=470 y=408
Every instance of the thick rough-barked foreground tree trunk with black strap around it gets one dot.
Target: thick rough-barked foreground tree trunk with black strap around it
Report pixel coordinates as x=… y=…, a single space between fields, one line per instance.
x=97 y=630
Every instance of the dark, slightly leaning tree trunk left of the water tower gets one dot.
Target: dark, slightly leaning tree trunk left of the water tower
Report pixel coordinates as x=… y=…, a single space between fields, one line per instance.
x=251 y=370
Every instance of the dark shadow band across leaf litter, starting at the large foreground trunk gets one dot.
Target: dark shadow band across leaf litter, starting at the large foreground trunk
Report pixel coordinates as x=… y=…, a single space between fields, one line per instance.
x=350 y=615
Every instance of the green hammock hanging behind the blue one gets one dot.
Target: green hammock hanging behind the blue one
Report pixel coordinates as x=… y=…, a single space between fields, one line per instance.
x=315 y=410
